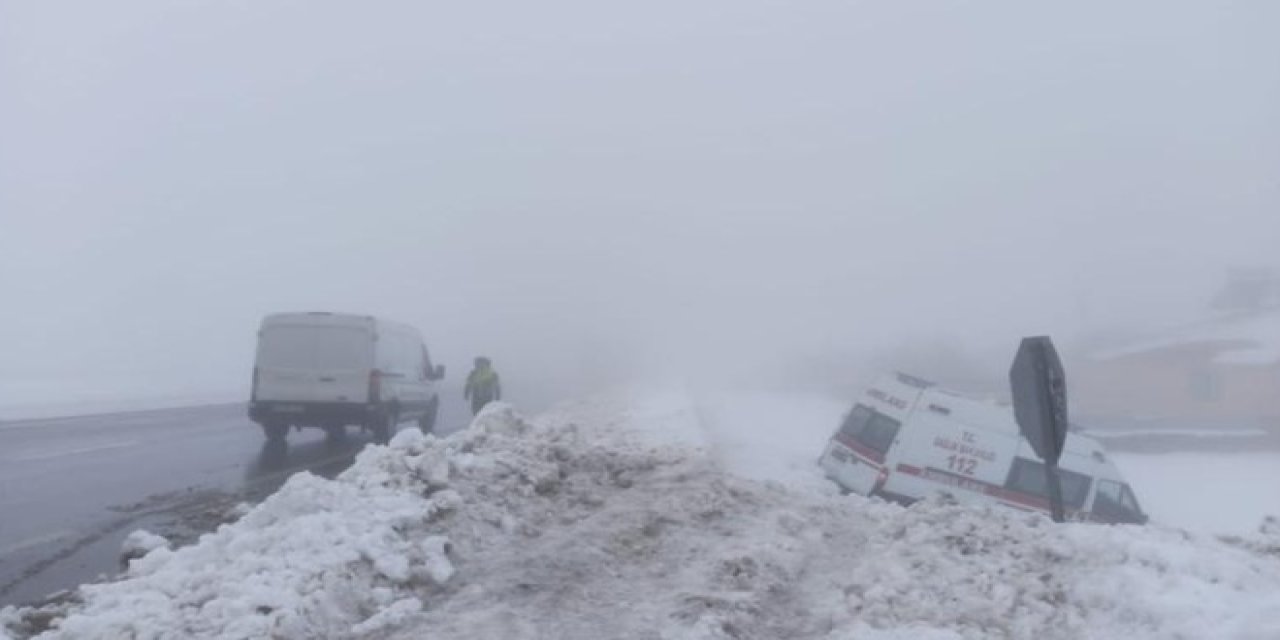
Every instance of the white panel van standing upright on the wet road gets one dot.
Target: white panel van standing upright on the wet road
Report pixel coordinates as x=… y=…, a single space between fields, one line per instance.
x=331 y=371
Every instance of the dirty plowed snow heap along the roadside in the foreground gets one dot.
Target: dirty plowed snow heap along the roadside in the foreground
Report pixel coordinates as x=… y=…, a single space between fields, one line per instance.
x=584 y=524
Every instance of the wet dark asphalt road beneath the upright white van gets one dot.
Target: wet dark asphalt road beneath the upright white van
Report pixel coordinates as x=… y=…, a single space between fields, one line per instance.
x=72 y=490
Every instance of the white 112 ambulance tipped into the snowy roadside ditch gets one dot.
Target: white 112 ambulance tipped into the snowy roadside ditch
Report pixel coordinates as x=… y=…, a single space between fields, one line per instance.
x=907 y=440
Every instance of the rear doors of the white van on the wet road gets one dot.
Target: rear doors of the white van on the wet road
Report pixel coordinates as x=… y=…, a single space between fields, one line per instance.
x=303 y=363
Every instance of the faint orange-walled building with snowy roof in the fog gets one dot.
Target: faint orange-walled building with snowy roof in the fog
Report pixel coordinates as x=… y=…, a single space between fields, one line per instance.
x=1223 y=372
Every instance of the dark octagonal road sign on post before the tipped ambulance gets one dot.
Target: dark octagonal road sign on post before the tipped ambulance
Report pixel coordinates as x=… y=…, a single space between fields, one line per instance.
x=1039 y=388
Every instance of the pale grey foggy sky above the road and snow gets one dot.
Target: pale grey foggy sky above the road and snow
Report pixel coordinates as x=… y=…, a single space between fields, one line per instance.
x=561 y=184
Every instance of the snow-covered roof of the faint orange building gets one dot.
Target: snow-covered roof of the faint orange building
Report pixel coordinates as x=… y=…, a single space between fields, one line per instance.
x=1244 y=339
